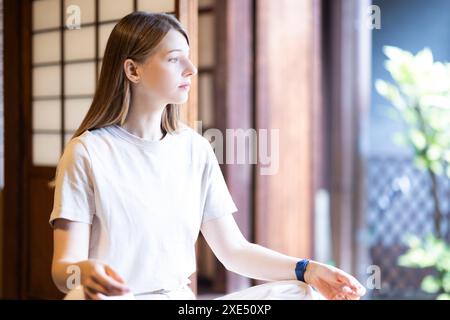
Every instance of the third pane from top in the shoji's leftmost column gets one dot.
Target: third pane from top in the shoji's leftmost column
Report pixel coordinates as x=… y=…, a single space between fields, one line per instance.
x=47 y=81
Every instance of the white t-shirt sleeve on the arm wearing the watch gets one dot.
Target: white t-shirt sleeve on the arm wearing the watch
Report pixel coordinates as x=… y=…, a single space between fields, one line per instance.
x=218 y=200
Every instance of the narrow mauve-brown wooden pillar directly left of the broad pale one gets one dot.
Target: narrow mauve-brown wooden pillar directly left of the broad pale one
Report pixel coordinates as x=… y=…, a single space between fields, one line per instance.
x=234 y=107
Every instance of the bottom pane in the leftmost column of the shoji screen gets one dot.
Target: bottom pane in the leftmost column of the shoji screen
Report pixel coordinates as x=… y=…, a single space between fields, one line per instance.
x=46 y=149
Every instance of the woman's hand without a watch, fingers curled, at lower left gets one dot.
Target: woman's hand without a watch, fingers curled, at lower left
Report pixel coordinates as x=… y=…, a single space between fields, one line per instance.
x=99 y=280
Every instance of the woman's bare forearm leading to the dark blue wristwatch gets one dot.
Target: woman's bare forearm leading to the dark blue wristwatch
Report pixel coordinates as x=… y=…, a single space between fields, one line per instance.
x=257 y=262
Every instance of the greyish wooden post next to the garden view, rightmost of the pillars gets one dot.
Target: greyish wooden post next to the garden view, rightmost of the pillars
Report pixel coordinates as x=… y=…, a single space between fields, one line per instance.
x=348 y=89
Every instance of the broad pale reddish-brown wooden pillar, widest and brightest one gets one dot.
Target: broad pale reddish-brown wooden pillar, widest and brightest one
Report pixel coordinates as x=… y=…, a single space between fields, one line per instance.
x=285 y=101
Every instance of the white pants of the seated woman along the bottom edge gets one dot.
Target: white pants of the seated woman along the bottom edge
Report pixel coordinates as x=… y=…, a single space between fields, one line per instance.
x=278 y=290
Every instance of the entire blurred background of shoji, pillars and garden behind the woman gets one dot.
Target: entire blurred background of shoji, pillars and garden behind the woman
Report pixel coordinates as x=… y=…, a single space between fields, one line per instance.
x=358 y=90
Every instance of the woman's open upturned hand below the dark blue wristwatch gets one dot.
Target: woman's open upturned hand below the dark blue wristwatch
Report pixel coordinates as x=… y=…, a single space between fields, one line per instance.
x=333 y=283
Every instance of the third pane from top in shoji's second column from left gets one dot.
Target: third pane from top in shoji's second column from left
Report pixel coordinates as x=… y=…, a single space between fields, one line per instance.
x=79 y=78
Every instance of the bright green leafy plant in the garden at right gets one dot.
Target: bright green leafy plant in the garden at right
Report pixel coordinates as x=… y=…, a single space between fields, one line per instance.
x=421 y=95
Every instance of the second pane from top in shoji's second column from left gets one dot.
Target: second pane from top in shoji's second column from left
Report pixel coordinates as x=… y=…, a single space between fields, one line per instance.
x=79 y=43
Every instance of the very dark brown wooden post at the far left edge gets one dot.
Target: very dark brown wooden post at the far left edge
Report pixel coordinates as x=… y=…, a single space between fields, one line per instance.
x=15 y=23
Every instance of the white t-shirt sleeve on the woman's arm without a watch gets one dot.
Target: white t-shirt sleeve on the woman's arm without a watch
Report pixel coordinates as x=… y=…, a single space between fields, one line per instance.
x=74 y=195
